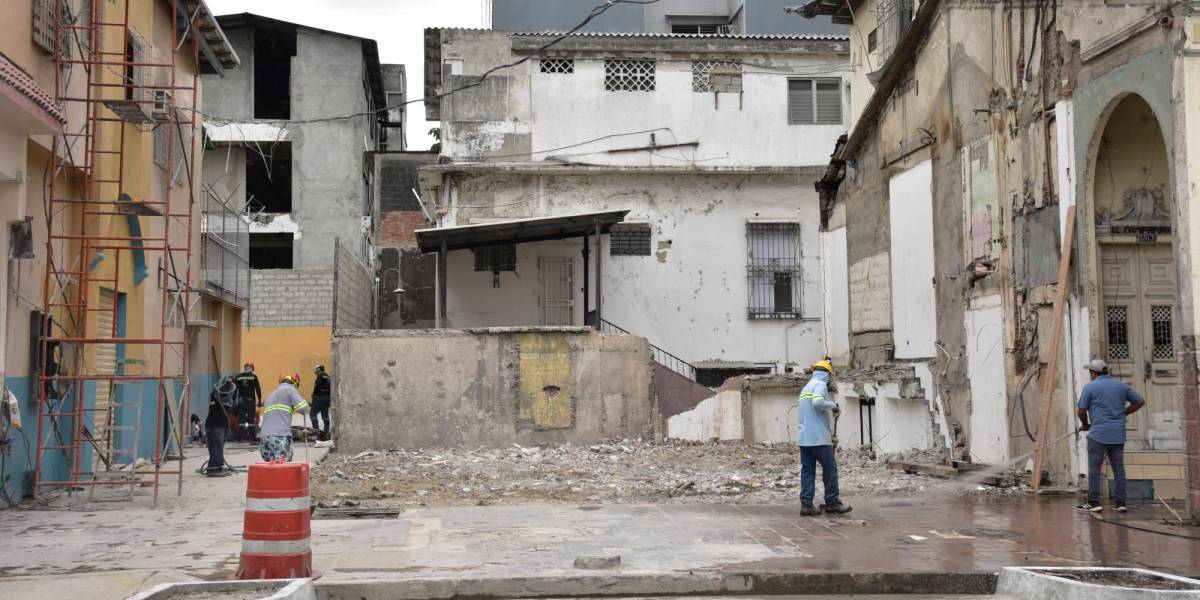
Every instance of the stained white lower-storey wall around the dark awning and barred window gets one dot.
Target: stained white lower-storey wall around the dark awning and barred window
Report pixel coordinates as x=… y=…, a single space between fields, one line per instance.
x=689 y=297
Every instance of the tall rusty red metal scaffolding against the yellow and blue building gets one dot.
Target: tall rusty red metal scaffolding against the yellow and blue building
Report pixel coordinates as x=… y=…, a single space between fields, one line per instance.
x=117 y=290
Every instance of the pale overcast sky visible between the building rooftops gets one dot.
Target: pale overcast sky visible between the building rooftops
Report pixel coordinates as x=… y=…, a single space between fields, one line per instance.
x=398 y=26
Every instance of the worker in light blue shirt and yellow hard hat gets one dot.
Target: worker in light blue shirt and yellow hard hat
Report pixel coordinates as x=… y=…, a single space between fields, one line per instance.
x=815 y=439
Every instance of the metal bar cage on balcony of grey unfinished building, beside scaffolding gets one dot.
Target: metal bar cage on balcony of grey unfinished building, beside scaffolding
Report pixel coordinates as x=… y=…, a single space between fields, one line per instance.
x=225 y=253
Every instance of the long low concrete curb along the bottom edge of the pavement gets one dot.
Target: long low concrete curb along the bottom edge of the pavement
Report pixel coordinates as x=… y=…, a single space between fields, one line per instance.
x=663 y=585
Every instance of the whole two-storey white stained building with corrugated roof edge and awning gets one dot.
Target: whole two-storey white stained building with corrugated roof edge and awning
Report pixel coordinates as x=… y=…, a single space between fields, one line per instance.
x=694 y=155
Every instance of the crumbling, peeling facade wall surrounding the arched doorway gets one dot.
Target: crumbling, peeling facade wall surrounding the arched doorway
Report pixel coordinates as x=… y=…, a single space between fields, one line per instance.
x=1012 y=140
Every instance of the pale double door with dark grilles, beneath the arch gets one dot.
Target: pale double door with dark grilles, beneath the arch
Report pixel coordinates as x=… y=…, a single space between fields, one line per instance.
x=1142 y=331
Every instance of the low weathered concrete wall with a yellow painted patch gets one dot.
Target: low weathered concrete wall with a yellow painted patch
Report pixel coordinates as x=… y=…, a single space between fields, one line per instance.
x=493 y=388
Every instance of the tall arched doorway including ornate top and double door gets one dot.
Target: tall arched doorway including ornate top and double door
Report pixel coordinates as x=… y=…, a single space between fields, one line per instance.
x=1139 y=310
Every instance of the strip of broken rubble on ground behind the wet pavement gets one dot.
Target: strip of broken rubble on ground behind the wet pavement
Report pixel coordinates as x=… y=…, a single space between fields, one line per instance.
x=627 y=472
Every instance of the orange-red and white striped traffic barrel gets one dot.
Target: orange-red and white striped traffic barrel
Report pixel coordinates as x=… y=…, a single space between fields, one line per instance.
x=275 y=539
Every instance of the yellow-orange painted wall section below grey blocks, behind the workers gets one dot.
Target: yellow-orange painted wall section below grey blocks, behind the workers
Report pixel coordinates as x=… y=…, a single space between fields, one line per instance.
x=278 y=351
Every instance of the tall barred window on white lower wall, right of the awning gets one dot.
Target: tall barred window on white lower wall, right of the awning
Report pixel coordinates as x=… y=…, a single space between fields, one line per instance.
x=773 y=269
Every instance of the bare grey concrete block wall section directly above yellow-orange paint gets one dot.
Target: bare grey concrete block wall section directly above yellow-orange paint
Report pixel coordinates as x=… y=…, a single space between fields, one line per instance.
x=291 y=298
